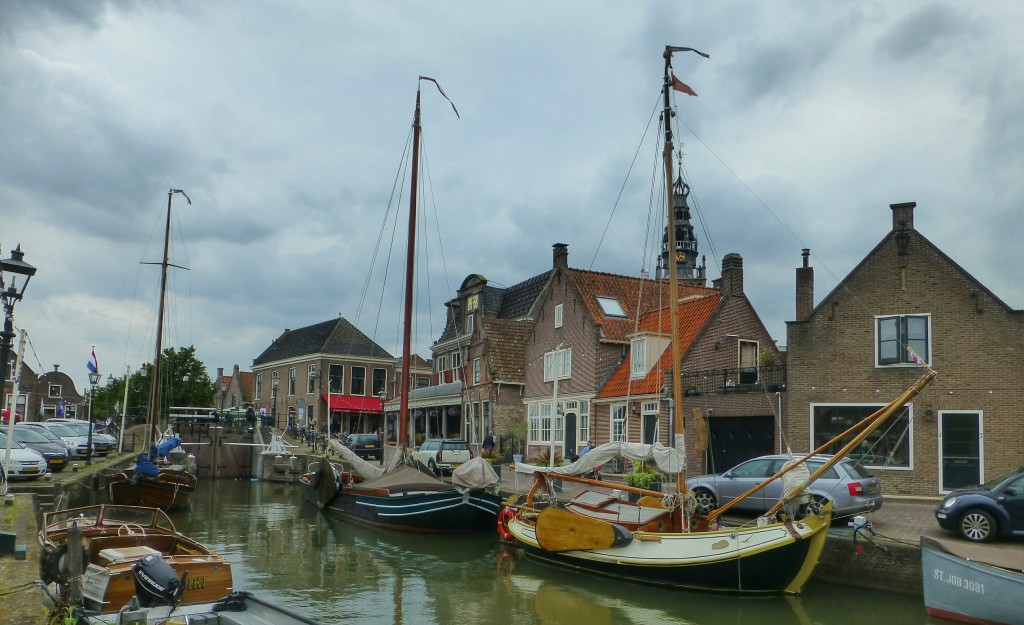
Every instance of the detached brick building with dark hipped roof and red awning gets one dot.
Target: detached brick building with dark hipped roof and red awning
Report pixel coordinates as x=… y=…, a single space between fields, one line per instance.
x=328 y=372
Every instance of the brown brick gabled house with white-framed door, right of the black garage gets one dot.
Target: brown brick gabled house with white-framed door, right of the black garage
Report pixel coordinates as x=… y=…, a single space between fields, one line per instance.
x=857 y=351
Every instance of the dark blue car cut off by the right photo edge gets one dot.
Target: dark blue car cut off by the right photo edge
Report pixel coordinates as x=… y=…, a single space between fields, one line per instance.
x=982 y=513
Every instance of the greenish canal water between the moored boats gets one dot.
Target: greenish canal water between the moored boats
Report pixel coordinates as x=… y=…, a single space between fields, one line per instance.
x=285 y=550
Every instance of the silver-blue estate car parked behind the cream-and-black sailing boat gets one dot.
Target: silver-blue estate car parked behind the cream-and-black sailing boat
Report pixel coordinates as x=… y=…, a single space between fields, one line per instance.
x=848 y=486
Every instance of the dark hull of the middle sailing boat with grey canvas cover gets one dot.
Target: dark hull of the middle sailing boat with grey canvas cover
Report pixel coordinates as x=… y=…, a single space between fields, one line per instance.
x=435 y=512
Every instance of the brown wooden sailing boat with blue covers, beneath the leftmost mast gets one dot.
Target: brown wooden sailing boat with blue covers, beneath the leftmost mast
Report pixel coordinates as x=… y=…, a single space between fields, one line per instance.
x=154 y=482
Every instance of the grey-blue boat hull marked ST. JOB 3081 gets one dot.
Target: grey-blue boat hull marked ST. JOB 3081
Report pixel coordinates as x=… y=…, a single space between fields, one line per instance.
x=969 y=591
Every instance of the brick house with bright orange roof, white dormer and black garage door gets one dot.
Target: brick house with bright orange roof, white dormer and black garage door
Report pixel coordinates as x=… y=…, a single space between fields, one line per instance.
x=732 y=395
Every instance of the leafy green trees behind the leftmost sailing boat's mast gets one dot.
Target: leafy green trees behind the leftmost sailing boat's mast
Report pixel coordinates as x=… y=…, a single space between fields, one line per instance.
x=185 y=383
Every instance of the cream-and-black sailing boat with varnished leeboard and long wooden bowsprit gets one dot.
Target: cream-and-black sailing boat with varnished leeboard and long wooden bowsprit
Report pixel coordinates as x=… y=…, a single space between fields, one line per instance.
x=660 y=539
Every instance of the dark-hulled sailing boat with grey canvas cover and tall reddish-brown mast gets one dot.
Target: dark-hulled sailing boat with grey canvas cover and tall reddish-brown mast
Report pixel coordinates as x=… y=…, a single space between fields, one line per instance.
x=403 y=497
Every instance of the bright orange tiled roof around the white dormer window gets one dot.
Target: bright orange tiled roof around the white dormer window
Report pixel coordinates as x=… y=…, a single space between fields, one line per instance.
x=694 y=315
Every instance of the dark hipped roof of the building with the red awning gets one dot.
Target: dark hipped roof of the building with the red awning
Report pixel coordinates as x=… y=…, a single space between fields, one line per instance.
x=334 y=337
